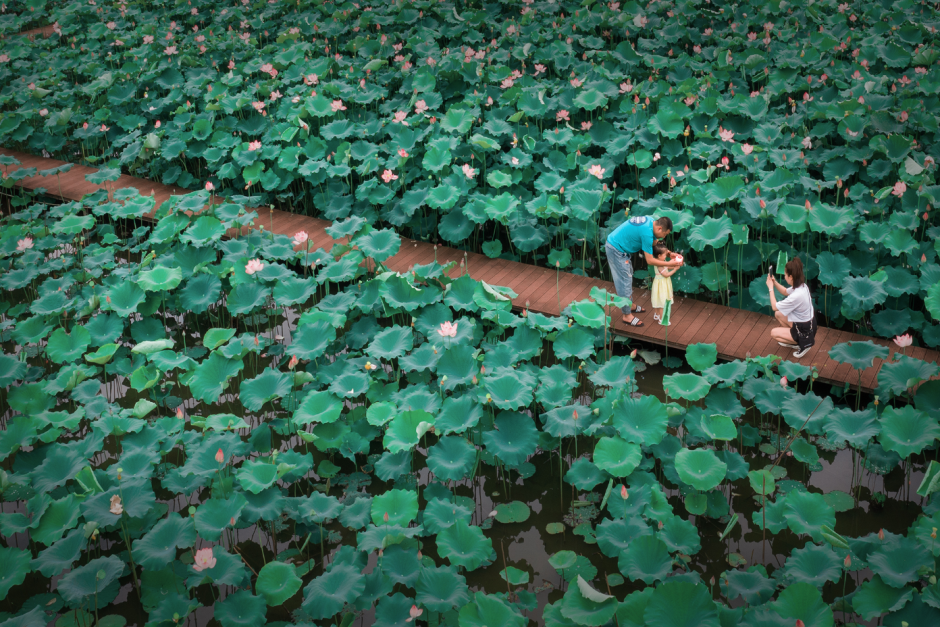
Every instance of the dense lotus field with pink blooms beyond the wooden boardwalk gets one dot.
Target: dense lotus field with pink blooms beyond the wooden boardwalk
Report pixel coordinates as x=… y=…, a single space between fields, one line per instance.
x=528 y=130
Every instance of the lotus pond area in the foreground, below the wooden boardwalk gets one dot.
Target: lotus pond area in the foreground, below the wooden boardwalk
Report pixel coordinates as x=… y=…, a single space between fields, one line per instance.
x=242 y=430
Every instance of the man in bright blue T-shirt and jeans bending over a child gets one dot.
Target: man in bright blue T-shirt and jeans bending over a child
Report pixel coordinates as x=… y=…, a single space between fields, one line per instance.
x=635 y=235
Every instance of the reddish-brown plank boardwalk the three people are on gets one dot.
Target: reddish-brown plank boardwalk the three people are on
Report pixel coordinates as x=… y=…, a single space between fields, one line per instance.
x=736 y=332
